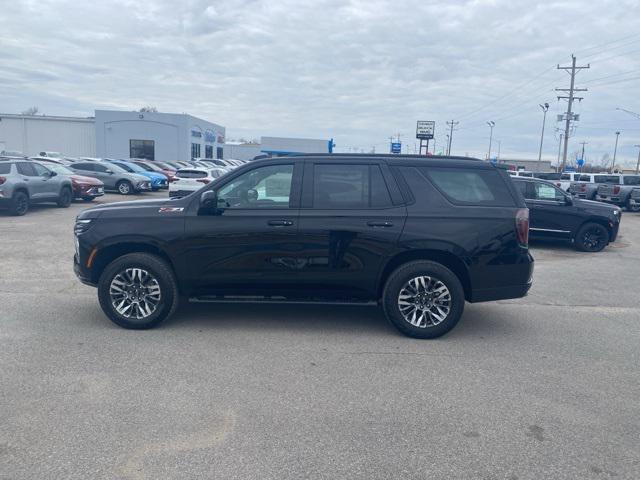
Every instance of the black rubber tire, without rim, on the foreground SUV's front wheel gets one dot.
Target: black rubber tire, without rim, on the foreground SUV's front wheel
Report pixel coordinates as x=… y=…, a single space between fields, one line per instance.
x=159 y=270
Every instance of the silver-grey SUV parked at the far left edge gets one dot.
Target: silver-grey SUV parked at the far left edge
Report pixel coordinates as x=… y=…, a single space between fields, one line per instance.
x=23 y=182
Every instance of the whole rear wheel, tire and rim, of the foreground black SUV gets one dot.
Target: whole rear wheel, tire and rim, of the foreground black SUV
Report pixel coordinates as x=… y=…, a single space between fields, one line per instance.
x=423 y=299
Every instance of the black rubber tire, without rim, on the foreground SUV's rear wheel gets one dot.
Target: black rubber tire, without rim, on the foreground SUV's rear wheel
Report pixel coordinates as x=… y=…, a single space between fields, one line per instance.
x=437 y=272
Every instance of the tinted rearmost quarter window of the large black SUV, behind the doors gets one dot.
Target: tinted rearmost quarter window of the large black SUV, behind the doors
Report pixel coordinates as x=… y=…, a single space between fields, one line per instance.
x=470 y=187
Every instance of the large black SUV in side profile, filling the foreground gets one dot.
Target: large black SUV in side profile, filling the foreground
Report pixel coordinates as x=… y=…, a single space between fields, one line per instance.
x=418 y=235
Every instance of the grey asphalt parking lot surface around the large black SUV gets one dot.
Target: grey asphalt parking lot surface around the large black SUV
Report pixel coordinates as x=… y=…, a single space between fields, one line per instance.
x=542 y=387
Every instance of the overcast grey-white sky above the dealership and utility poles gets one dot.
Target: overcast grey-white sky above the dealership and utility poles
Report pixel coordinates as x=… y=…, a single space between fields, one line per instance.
x=358 y=71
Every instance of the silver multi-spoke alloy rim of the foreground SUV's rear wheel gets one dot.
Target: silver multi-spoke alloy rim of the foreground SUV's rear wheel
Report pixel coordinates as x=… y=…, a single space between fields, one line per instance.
x=424 y=302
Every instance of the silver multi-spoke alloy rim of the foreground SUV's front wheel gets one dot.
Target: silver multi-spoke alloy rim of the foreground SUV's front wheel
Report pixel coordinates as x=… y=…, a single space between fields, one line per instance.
x=135 y=293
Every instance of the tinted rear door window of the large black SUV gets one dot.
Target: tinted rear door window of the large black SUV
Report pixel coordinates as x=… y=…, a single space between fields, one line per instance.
x=349 y=186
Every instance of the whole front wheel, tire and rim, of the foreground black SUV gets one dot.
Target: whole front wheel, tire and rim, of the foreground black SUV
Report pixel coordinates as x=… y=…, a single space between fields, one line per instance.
x=138 y=291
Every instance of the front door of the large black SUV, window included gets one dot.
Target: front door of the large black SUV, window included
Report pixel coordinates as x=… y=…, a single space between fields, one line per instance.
x=249 y=245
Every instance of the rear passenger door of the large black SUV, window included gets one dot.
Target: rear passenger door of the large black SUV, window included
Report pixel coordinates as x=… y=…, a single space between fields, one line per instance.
x=348 y=225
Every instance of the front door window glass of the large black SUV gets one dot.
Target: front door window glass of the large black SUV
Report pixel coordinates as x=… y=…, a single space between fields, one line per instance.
x=263 y=187
